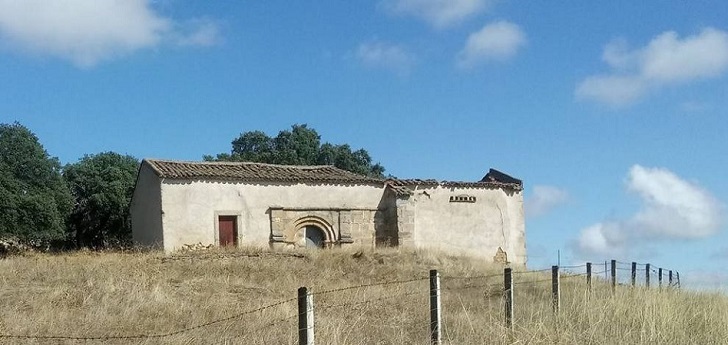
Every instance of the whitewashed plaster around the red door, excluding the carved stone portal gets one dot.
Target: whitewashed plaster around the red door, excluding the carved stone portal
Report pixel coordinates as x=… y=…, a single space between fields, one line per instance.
x=191 y=208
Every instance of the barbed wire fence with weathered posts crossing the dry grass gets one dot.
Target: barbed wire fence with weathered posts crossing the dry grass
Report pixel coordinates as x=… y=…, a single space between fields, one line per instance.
x=399 y=305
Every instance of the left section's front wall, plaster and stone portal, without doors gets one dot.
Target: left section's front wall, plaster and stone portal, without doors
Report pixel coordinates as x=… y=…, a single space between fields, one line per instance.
x=190 y=209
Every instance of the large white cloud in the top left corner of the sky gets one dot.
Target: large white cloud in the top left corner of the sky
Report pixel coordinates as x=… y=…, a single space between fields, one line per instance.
x=88 y=32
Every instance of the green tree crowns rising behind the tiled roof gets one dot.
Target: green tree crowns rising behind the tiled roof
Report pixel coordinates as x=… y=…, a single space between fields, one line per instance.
x=299 y=146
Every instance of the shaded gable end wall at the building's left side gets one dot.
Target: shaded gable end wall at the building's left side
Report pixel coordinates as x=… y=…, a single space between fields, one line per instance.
x=146 y=210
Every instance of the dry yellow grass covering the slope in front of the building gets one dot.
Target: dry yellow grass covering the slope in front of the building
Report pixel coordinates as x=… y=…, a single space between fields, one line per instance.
x=118 y=294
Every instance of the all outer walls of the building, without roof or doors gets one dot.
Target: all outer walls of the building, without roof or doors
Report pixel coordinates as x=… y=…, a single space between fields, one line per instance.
x=468 y=221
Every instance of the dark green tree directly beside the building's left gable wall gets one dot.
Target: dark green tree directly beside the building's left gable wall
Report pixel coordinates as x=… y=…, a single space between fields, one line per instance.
x=102 y=186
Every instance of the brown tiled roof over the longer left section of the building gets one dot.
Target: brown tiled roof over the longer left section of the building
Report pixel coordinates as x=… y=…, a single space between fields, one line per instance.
x=256 y=172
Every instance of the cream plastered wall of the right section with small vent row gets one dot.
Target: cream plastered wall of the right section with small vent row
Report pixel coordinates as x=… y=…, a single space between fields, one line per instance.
x=469 y=221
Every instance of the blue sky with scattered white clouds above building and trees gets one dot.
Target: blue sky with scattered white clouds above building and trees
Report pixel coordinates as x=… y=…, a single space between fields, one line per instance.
x=612 y=113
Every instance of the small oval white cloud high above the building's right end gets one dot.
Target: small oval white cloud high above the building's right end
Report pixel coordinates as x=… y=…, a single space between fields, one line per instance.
x=497 y=41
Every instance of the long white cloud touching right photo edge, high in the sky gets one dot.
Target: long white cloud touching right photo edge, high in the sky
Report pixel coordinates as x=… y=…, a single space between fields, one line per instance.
x=666 y=60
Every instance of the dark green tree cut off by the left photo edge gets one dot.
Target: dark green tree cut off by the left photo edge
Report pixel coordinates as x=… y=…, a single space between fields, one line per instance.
x=34 y=200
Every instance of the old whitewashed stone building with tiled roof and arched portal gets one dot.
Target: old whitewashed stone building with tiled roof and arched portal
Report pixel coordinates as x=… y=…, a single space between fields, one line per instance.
x=178 y=203
